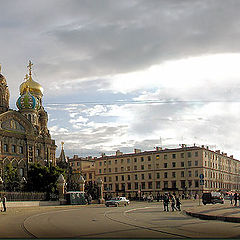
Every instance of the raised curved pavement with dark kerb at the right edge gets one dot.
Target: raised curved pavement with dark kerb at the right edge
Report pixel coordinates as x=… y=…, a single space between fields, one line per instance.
x=222 y=212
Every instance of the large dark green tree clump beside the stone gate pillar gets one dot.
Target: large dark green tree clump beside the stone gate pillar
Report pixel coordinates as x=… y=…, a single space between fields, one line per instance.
x=42 y=178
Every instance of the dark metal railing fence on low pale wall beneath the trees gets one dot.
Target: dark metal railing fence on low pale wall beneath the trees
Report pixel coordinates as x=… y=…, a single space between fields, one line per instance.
x=24 y=196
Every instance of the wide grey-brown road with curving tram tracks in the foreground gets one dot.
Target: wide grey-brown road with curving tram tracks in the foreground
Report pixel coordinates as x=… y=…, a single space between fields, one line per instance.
x=138 y=220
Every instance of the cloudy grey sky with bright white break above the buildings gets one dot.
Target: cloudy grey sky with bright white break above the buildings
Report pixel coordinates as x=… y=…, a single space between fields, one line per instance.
x=120 y=75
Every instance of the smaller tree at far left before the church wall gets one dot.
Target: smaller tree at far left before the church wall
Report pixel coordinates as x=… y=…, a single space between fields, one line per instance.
x=11 y=179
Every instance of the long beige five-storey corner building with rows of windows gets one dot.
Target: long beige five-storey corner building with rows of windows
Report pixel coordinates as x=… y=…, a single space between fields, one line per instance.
x=177 y=170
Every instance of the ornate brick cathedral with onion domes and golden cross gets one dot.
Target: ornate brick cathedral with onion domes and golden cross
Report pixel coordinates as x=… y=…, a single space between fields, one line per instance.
x=24 y=136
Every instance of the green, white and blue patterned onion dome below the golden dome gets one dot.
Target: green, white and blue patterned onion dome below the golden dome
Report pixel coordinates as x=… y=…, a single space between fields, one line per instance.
x=27 y=101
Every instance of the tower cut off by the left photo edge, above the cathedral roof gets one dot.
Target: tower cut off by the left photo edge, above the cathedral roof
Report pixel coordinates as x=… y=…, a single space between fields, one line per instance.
x=4 y=94
